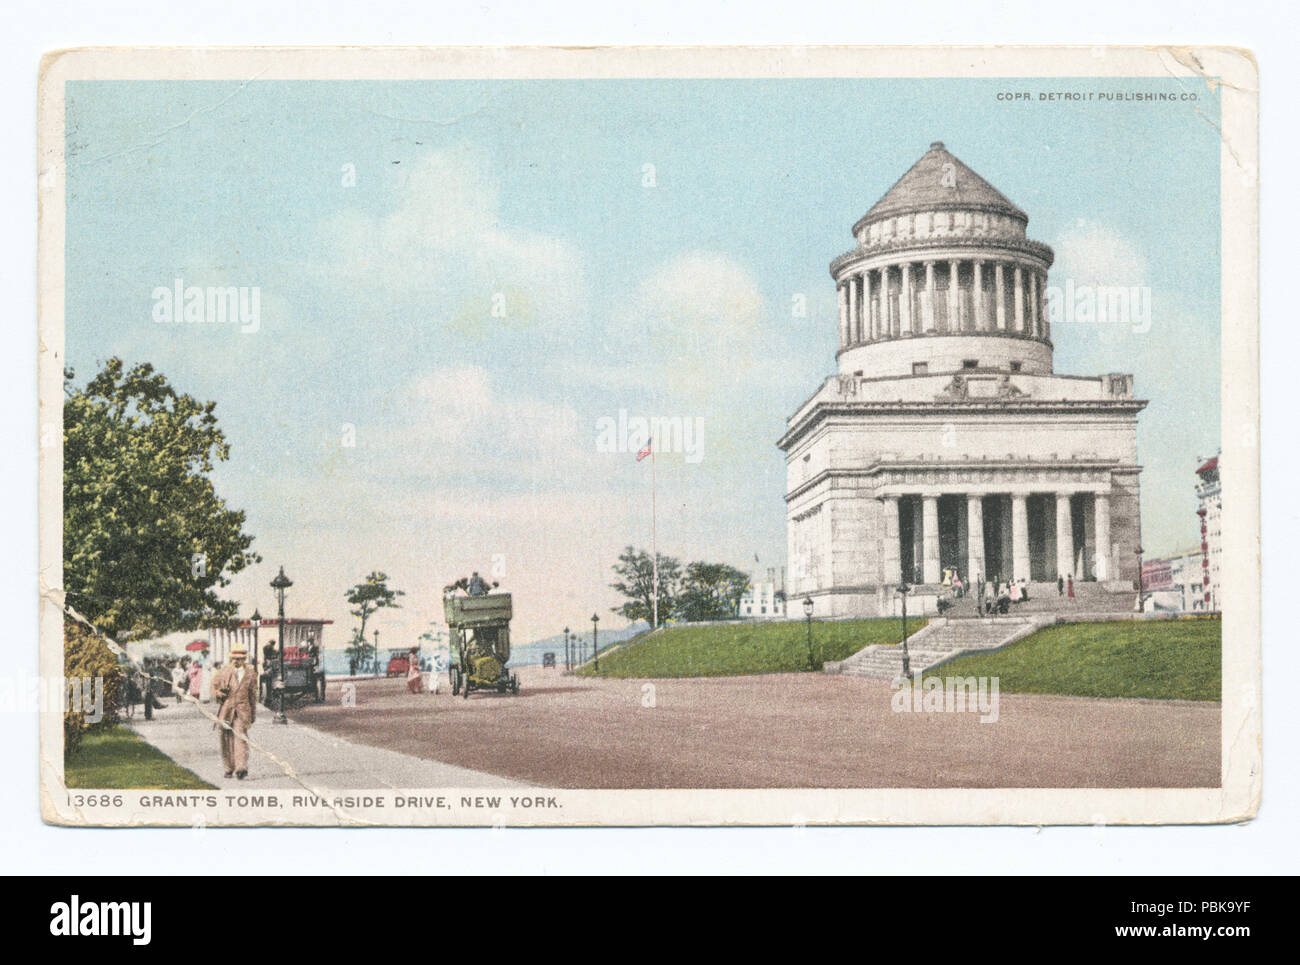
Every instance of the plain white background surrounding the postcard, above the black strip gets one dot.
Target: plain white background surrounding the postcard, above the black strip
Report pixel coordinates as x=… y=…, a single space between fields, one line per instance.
x=1268 y=845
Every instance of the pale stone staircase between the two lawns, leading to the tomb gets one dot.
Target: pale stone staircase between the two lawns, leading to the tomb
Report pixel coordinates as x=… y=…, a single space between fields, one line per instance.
x=941 y=641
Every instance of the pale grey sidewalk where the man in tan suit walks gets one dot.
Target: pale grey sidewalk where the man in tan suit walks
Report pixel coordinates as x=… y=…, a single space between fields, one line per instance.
x=320 y=761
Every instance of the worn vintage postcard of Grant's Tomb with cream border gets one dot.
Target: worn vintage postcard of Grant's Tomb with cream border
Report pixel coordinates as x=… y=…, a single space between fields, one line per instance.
x=649 y=436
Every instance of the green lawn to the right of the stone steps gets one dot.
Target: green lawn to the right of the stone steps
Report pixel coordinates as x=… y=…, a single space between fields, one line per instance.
x=1172 y=660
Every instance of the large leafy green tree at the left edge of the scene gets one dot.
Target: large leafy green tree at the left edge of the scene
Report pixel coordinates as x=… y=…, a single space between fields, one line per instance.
x=148 y=542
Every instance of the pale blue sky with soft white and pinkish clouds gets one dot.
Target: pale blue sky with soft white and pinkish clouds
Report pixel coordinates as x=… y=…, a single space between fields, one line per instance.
x=460 y=283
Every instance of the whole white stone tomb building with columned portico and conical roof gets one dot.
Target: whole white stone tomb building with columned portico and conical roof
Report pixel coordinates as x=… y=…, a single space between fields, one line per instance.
x=947 y=442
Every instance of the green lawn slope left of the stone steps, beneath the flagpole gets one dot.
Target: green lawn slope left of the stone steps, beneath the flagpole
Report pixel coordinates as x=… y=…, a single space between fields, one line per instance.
x=747 y=648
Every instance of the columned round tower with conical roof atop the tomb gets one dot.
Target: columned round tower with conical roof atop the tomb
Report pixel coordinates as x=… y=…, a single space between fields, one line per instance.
x=943 y=278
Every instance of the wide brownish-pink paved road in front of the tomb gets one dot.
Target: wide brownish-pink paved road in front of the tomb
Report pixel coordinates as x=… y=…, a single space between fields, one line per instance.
x=779 y=730
